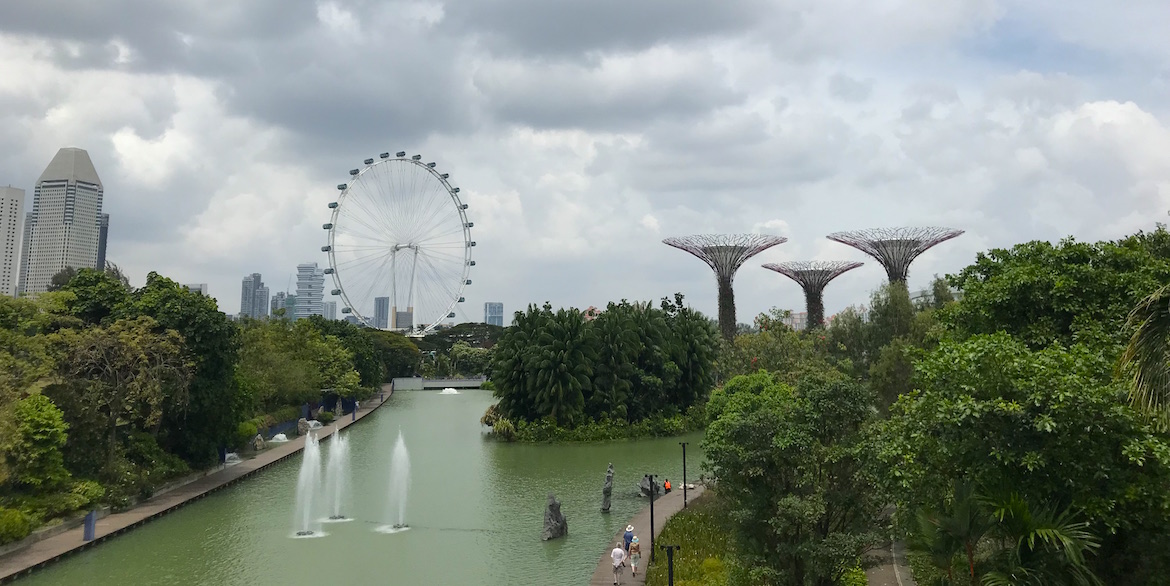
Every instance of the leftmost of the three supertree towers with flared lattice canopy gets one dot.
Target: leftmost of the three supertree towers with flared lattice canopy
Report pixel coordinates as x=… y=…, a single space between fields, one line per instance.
x=725 y=254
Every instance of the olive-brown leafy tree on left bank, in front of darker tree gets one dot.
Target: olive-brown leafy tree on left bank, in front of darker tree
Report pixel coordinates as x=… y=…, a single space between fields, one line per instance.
x=126 y=373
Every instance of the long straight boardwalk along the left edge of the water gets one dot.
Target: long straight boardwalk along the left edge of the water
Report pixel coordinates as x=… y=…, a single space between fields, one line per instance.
x=47 y=551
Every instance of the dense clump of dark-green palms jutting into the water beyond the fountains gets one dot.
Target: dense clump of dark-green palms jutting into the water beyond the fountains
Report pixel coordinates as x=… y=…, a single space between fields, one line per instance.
x=632 y=363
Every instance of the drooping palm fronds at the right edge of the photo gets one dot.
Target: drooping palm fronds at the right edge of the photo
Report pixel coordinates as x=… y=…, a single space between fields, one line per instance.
x=1147 y=357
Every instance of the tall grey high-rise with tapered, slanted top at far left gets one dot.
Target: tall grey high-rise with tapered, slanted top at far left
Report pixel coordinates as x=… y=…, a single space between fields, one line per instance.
x=65 y=225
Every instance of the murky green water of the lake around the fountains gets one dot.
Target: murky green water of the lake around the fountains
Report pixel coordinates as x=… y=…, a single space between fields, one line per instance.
x=476 y=512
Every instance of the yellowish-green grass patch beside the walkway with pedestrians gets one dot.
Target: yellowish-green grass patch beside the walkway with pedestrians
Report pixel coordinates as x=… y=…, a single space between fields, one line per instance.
x=705 y=540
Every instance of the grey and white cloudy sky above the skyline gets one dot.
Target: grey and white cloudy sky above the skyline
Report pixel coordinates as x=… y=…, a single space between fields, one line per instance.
x=584 y=133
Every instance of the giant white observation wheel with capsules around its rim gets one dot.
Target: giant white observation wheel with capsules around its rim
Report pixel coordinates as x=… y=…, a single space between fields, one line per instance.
x=400 y=245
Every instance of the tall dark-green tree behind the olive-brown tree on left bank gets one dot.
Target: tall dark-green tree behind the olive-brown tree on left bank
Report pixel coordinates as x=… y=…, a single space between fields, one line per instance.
x=209 y=419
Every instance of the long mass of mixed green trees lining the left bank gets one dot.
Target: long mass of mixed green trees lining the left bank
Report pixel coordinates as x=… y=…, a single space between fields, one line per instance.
x=108 y=392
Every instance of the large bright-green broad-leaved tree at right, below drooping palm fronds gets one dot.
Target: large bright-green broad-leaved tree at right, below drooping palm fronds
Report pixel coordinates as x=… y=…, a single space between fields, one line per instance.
x=1050 y=425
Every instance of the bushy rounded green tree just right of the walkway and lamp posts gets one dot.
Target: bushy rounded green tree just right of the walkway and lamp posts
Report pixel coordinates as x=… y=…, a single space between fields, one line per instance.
x=792 y=466
